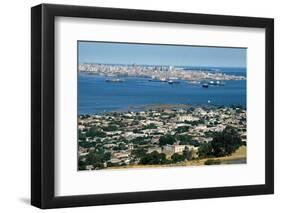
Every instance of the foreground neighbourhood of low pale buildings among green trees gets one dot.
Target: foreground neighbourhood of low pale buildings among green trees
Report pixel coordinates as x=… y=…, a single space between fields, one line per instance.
x=160 y=136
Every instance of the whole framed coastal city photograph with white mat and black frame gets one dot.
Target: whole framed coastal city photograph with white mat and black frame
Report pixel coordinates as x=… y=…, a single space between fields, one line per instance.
x=136 y=106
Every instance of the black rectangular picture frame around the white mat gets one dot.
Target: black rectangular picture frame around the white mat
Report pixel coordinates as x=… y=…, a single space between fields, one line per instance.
x=43 y=102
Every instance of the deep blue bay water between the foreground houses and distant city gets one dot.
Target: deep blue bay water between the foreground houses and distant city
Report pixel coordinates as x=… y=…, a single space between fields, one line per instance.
x=95 y=95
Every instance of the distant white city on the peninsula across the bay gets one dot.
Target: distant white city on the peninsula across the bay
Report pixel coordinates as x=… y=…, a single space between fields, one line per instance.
x=161 y=73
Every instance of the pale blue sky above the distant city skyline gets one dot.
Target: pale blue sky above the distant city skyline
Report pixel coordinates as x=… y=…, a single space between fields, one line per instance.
x=125 y=53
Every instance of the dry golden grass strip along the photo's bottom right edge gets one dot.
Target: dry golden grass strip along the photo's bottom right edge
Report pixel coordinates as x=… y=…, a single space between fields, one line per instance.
x=239 y=155
